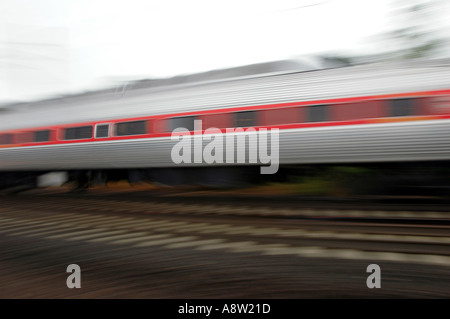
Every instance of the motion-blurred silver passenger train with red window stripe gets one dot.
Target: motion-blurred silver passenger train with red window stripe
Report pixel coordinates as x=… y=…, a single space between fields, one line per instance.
x=378 y=115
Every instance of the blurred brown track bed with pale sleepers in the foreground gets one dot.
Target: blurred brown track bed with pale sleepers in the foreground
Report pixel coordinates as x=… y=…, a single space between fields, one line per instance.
x=118 y=238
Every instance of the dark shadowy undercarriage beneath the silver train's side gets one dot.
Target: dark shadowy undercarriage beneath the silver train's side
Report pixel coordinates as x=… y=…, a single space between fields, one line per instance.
x=388 y=179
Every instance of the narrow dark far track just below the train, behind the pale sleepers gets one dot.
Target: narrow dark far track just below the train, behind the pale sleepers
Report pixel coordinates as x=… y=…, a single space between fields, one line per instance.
x=208 y=203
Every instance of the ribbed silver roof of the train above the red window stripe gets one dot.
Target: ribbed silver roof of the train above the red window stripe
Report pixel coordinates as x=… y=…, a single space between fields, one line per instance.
x=276 y=83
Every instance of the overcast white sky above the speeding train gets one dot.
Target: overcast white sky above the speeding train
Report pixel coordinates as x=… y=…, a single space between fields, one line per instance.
x=52 y=47
